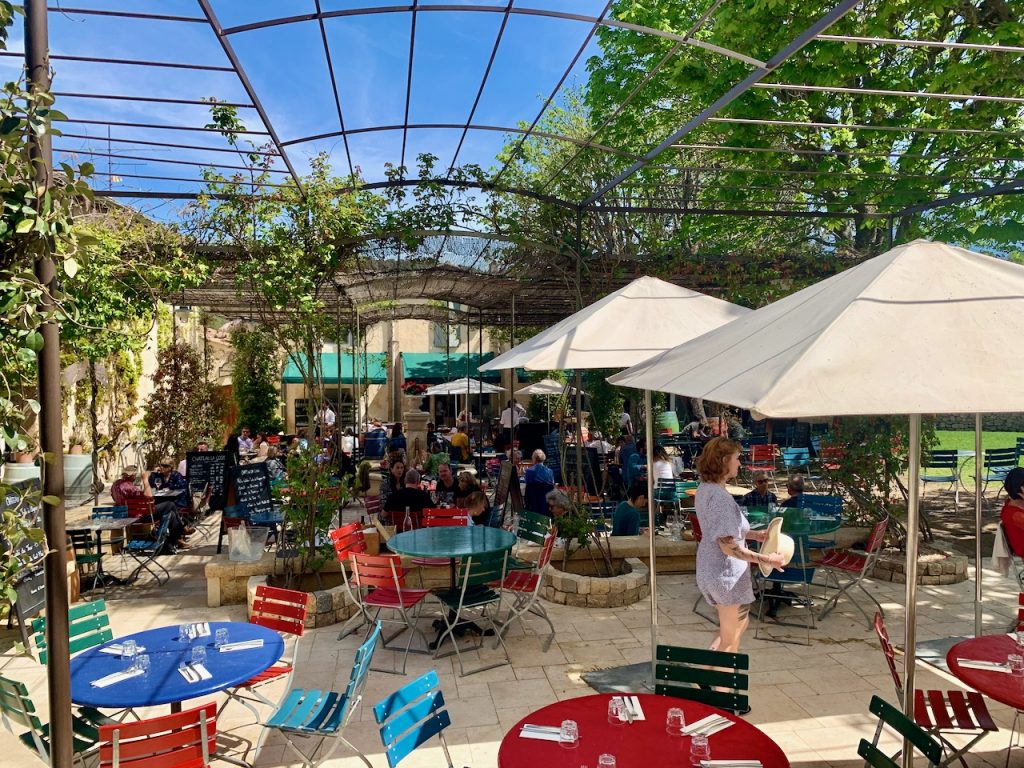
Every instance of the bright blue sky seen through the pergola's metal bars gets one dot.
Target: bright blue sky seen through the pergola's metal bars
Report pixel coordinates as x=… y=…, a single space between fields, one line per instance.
x=287 y=67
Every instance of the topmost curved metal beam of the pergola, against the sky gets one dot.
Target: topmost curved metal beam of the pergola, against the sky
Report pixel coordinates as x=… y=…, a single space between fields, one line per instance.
x=610 y=23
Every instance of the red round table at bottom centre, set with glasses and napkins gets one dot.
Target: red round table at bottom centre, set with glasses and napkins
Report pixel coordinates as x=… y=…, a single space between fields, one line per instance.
x=641 y=745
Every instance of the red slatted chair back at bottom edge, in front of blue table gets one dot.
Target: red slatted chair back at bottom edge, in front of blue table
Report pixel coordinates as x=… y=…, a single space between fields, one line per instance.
x=186 y=739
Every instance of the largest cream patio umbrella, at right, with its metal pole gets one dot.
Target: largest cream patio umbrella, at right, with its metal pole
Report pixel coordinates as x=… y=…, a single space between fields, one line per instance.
x=912 y=331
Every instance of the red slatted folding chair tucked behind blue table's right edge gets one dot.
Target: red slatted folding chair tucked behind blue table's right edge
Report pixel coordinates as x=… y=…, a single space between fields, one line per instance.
x=284 y=612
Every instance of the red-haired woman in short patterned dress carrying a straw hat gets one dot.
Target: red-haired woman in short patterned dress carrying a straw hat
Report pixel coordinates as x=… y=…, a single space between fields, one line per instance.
x=723 y=560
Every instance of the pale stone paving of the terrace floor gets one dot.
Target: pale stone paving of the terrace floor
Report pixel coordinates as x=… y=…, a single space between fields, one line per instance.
x=813 y=701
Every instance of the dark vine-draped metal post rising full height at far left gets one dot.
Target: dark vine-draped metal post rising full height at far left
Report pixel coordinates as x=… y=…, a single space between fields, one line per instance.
x=51 y=436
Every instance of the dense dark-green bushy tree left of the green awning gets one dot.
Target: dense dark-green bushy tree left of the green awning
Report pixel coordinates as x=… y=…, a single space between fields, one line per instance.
x=255 y=380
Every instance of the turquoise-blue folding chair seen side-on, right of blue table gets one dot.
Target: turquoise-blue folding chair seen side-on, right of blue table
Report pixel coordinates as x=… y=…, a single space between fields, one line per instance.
x=319 y=715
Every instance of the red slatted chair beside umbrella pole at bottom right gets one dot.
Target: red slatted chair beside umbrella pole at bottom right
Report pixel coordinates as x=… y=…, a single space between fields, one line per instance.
x=942 y=712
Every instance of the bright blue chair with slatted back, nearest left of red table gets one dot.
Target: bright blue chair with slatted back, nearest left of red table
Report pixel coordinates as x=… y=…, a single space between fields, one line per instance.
x=412 y=715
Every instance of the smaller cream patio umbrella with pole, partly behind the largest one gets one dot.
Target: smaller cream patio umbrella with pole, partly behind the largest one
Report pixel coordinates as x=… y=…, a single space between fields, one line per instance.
x=641 y=320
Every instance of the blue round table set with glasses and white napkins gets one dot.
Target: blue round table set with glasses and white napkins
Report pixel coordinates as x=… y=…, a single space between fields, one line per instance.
x=164 y=685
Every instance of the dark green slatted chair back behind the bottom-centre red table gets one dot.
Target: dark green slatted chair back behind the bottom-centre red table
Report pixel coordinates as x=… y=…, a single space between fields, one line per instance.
x=695 y=674
